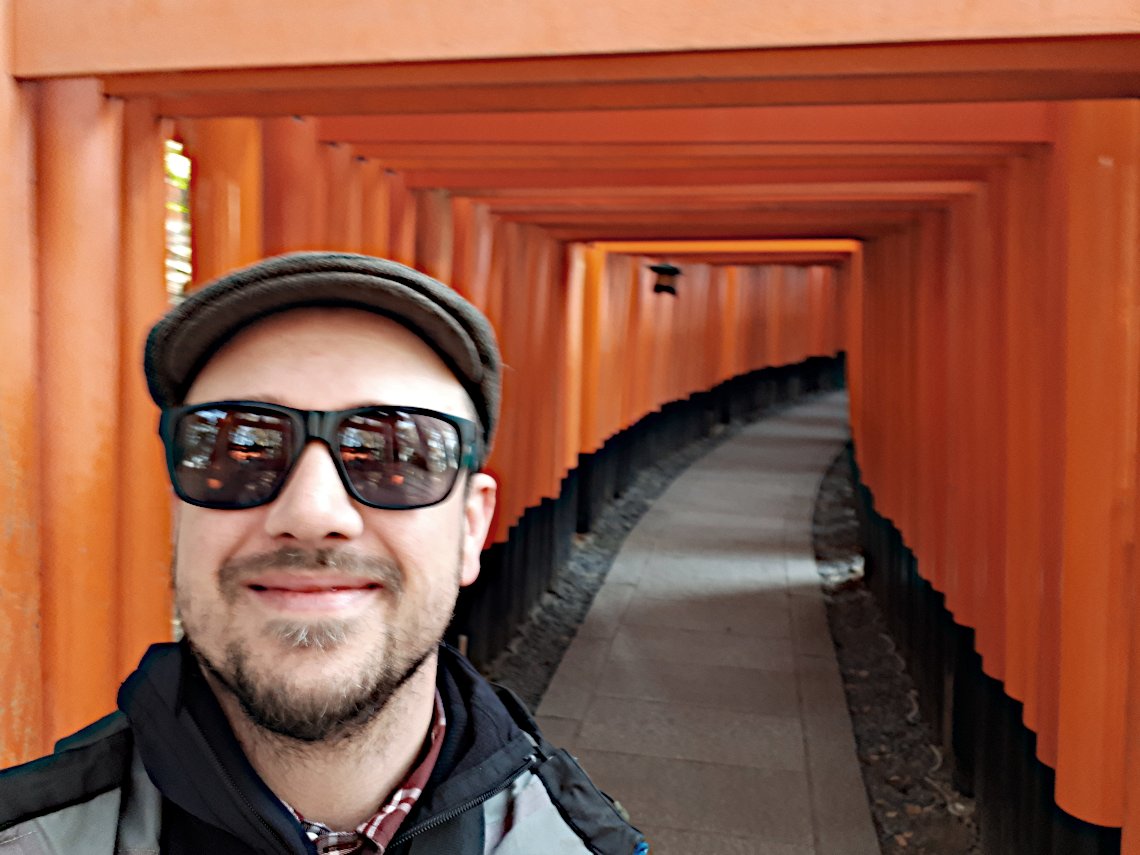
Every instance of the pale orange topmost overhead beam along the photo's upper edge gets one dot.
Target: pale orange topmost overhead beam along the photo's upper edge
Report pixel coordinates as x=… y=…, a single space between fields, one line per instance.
x=63 y=39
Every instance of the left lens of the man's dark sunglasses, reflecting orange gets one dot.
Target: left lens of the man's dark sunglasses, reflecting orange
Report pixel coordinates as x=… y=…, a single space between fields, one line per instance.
x=231 y=458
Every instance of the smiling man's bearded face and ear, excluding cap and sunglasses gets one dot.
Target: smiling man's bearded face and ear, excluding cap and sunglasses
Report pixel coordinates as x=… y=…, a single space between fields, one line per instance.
x=314 y=609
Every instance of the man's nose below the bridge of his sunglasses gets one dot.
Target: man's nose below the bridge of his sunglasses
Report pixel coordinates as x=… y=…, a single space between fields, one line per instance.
x=314 y=506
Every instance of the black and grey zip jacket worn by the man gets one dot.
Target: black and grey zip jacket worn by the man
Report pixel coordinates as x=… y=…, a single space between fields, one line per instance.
x=166 y=775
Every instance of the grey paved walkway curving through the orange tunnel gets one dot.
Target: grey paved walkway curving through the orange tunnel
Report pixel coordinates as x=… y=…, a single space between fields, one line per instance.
x=703 y=689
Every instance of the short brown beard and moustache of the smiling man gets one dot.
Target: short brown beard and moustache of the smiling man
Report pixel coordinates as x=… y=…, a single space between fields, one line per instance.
x=343 y=706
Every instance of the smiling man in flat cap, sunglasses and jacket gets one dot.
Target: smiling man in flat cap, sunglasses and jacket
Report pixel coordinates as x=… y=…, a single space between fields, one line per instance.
x=325 y=418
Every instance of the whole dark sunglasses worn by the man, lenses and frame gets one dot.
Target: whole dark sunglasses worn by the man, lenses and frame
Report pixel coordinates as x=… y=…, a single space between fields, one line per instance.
x=234 y=455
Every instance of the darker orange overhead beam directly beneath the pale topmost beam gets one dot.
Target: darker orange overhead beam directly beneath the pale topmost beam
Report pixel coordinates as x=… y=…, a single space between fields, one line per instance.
x=996 y=58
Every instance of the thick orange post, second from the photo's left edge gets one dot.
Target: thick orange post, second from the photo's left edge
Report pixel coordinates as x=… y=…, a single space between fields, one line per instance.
x=79 y=156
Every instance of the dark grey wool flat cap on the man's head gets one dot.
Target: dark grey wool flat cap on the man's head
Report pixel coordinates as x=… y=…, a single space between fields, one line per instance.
x=189 y=336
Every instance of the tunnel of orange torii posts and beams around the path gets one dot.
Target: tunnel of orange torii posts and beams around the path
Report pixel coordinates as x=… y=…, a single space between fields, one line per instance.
x=950 y=198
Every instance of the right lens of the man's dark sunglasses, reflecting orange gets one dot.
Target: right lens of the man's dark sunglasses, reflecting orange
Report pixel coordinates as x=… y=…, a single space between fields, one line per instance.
x=400 y=460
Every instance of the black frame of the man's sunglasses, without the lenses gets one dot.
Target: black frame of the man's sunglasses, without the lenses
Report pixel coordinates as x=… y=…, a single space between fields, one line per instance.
x=311 y=426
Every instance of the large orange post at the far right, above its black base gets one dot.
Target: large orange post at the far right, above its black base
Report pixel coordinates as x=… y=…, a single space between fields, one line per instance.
x=1100 y=153
